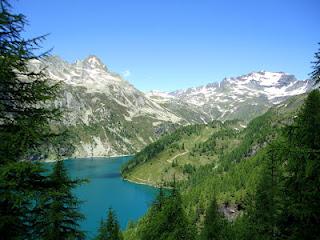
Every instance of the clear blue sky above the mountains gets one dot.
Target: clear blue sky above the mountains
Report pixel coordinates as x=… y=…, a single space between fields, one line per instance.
x=172 y=44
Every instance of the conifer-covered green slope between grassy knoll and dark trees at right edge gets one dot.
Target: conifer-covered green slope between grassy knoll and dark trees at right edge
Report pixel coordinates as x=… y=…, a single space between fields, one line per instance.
x=237 y=171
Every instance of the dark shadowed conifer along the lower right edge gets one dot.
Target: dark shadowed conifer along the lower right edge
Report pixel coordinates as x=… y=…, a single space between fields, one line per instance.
x=301 y=217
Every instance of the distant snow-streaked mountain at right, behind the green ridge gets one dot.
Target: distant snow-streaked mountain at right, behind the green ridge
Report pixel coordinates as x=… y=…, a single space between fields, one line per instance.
x=243 y=97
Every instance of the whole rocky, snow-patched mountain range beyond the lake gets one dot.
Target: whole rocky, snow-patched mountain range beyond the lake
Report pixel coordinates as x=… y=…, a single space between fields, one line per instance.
x=109 y=116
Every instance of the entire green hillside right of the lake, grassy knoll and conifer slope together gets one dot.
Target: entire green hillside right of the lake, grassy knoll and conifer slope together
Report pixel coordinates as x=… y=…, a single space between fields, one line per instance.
x=228 y=172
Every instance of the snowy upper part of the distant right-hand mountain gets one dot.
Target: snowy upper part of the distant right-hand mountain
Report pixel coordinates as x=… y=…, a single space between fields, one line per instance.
x=269 y=84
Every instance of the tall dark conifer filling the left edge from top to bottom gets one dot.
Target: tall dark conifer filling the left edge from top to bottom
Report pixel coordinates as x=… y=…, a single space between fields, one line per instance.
x=25 y=115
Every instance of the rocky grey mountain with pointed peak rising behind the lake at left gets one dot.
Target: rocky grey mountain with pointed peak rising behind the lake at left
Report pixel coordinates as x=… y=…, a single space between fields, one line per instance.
x=106 y=114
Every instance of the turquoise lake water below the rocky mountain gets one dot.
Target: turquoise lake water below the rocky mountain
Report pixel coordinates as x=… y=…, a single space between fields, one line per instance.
x=107 y=189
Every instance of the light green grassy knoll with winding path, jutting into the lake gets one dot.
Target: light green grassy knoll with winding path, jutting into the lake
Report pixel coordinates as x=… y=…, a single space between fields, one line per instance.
x=182 y=153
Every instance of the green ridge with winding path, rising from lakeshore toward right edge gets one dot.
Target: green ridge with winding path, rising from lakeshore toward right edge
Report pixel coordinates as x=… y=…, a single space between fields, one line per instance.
x=179 y=154
